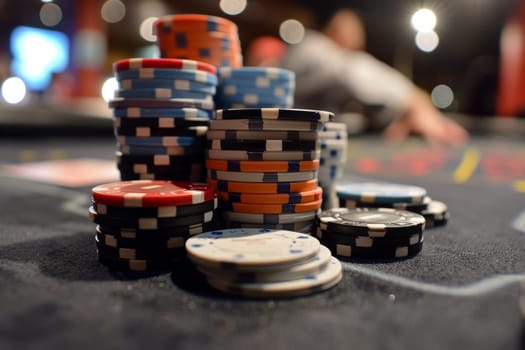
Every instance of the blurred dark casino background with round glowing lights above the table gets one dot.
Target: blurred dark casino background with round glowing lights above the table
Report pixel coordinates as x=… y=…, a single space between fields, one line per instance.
x=469 y=54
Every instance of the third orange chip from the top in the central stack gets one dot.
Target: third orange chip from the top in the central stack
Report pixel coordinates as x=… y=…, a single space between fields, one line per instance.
x=273 y=198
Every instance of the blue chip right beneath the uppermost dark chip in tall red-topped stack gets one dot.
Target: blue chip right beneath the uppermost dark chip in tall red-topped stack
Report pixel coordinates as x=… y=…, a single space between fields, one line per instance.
x=137 y=112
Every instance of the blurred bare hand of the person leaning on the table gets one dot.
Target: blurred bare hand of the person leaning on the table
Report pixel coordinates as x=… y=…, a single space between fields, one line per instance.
x=425 y=120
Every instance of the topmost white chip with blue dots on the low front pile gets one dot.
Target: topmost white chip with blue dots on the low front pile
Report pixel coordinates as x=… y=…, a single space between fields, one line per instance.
x=251 y=248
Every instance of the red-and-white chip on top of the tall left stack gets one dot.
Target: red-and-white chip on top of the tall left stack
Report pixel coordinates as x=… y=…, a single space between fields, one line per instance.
x=170 y=63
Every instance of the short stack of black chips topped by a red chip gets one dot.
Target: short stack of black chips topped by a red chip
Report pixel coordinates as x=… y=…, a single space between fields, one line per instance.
x=142 y=225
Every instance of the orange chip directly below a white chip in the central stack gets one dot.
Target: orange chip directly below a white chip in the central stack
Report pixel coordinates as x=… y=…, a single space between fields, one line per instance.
x=267 y=187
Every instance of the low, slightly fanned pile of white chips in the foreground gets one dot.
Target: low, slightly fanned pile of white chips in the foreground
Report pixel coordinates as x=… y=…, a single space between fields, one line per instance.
x=263 y=263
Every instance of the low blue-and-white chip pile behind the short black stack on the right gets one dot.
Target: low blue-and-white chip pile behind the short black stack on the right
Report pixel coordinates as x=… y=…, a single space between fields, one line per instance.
x=397 y=196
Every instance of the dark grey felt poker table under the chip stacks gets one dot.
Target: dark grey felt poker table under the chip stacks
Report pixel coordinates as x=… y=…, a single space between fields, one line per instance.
x=461 y=292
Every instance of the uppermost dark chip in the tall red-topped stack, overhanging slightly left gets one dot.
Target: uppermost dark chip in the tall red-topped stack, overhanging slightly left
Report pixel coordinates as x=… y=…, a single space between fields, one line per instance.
x=162 y=103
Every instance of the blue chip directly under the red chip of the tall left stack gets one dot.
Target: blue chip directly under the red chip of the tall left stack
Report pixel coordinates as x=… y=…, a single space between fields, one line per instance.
x=164 y=73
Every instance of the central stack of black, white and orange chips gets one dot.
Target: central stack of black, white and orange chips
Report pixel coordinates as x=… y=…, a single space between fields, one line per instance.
x=263 y=163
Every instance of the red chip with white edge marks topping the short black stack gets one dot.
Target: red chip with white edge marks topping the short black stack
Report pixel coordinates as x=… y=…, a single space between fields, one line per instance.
x=152 y=193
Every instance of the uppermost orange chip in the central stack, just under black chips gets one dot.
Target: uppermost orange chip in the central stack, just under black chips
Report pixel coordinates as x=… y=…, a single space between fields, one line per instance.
x=262 y=166
